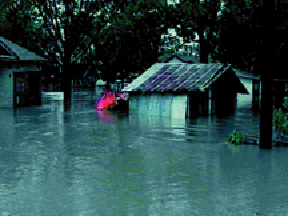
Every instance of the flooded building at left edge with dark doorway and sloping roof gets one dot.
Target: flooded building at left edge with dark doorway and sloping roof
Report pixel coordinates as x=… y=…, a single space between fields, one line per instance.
x=20 y=75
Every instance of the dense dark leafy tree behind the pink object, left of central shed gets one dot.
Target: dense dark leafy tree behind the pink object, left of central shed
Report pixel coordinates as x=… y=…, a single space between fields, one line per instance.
x=134 y=48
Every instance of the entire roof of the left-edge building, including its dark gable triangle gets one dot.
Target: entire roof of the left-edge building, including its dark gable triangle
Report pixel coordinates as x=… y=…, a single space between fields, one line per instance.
x=12 y=51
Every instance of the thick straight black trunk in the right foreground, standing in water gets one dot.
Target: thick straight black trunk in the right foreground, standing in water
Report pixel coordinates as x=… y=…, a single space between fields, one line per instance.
x=265 y=64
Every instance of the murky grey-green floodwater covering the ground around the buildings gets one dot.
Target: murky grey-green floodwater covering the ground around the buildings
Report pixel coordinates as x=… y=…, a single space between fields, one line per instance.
x=94 y=163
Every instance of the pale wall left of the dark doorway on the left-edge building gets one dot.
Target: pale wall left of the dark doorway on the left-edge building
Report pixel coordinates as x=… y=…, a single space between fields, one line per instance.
x=6 y=88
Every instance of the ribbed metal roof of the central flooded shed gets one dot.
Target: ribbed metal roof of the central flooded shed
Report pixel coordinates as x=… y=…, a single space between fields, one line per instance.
x=184 y=77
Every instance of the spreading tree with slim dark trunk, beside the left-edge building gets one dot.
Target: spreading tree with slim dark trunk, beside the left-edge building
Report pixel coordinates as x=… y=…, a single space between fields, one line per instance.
x=68 y=46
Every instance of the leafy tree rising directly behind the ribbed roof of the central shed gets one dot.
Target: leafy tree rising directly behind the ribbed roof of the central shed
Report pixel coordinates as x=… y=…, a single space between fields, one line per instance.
x=195 y=16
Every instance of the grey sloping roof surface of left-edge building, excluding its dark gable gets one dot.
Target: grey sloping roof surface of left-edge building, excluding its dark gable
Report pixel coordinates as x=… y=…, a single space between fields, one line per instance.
x=19 y=51
